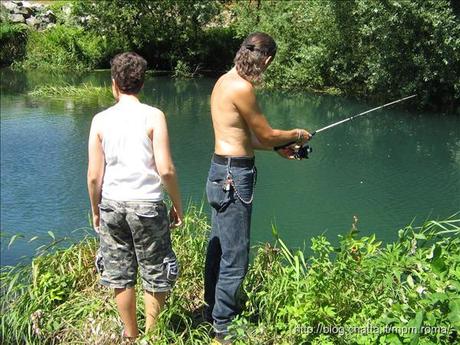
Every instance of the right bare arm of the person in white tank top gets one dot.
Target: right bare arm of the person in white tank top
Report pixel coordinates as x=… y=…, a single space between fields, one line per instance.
x=165 y=166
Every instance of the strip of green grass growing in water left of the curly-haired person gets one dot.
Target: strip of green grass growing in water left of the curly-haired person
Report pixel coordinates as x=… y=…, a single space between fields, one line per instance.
x=67 y=90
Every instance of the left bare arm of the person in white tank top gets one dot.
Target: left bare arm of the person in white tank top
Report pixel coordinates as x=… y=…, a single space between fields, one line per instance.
x=96 y=167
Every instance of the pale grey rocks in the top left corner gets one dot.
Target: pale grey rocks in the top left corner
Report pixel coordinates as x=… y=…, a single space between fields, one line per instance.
x=35 y=15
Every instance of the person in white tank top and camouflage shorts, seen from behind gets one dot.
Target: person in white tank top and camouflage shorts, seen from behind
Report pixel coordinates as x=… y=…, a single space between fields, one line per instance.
x=129 y=162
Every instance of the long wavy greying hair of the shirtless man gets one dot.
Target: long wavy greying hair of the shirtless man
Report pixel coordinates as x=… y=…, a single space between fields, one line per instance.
x=255 y=49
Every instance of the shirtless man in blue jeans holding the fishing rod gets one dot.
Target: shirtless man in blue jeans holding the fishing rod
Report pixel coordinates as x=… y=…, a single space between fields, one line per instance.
x=239 y=128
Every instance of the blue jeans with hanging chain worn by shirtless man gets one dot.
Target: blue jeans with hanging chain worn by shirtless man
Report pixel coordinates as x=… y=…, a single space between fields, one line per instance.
x=229 y=190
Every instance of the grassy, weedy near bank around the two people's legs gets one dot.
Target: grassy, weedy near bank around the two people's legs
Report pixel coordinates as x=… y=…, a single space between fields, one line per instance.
x=360 y=292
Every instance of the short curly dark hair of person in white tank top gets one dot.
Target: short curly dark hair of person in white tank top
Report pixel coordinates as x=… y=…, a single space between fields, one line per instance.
x=128 y=71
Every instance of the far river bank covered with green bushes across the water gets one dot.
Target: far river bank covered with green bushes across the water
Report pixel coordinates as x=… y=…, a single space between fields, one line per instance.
x=383 y=51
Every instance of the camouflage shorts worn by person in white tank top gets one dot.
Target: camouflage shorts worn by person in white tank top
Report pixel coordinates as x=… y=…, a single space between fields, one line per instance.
x=132 y=234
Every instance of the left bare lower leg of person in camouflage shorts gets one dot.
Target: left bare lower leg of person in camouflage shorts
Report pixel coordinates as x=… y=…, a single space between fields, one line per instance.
x=126 y=304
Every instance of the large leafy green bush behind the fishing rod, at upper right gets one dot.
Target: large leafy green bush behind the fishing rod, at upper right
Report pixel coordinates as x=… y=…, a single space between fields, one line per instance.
x=381 y=48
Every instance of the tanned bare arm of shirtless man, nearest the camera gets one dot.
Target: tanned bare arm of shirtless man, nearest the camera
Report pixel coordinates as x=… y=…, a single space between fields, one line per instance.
x=267 y=137
